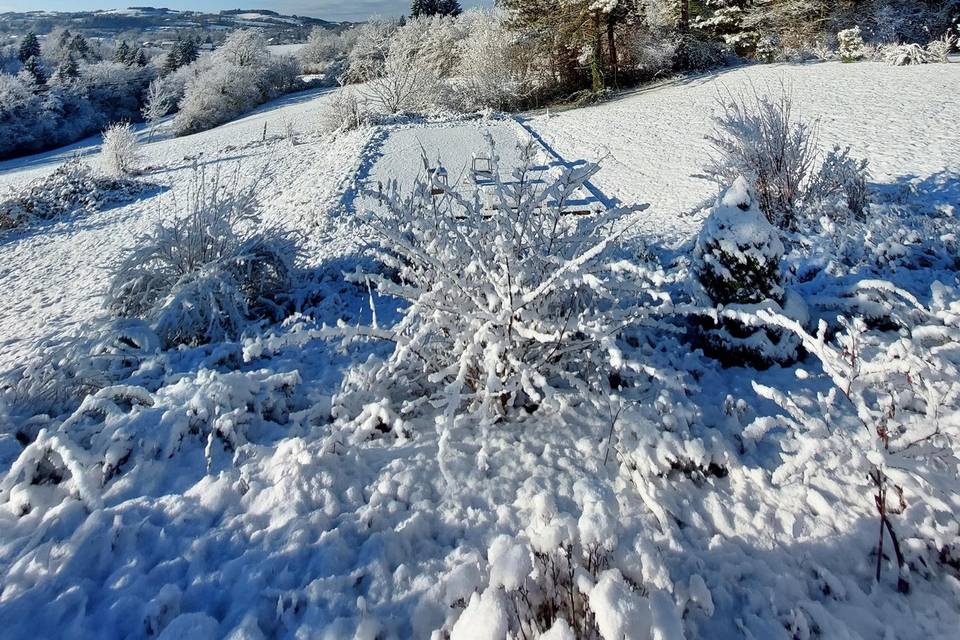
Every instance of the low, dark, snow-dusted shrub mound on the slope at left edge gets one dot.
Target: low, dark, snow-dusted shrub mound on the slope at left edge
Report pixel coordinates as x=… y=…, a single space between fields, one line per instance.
x=72 y=187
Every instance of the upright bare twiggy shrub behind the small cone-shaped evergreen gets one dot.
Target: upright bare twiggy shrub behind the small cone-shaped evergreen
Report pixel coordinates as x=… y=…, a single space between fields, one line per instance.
x=765 y=141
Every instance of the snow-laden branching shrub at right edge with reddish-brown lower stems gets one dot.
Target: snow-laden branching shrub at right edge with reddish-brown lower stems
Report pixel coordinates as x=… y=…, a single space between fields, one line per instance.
x=893 y=415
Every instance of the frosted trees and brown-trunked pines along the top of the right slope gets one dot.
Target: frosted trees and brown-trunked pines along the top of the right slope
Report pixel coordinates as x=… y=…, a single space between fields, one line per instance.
x=527 y=53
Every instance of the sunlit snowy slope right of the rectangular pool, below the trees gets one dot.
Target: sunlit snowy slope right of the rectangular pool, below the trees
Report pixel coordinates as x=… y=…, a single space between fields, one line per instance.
x=654 y=139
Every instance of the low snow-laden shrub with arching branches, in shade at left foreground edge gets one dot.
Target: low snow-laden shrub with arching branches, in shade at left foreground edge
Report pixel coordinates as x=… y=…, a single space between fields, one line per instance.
x=76 y=455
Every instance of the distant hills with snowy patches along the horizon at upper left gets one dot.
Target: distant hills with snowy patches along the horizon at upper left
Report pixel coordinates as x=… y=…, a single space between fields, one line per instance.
x=278 y=28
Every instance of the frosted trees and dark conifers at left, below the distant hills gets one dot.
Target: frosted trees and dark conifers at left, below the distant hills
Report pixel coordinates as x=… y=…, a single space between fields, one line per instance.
x=63 y=89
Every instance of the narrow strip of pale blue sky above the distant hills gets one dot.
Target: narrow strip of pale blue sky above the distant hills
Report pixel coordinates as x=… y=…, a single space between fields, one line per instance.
x=327 y=9
